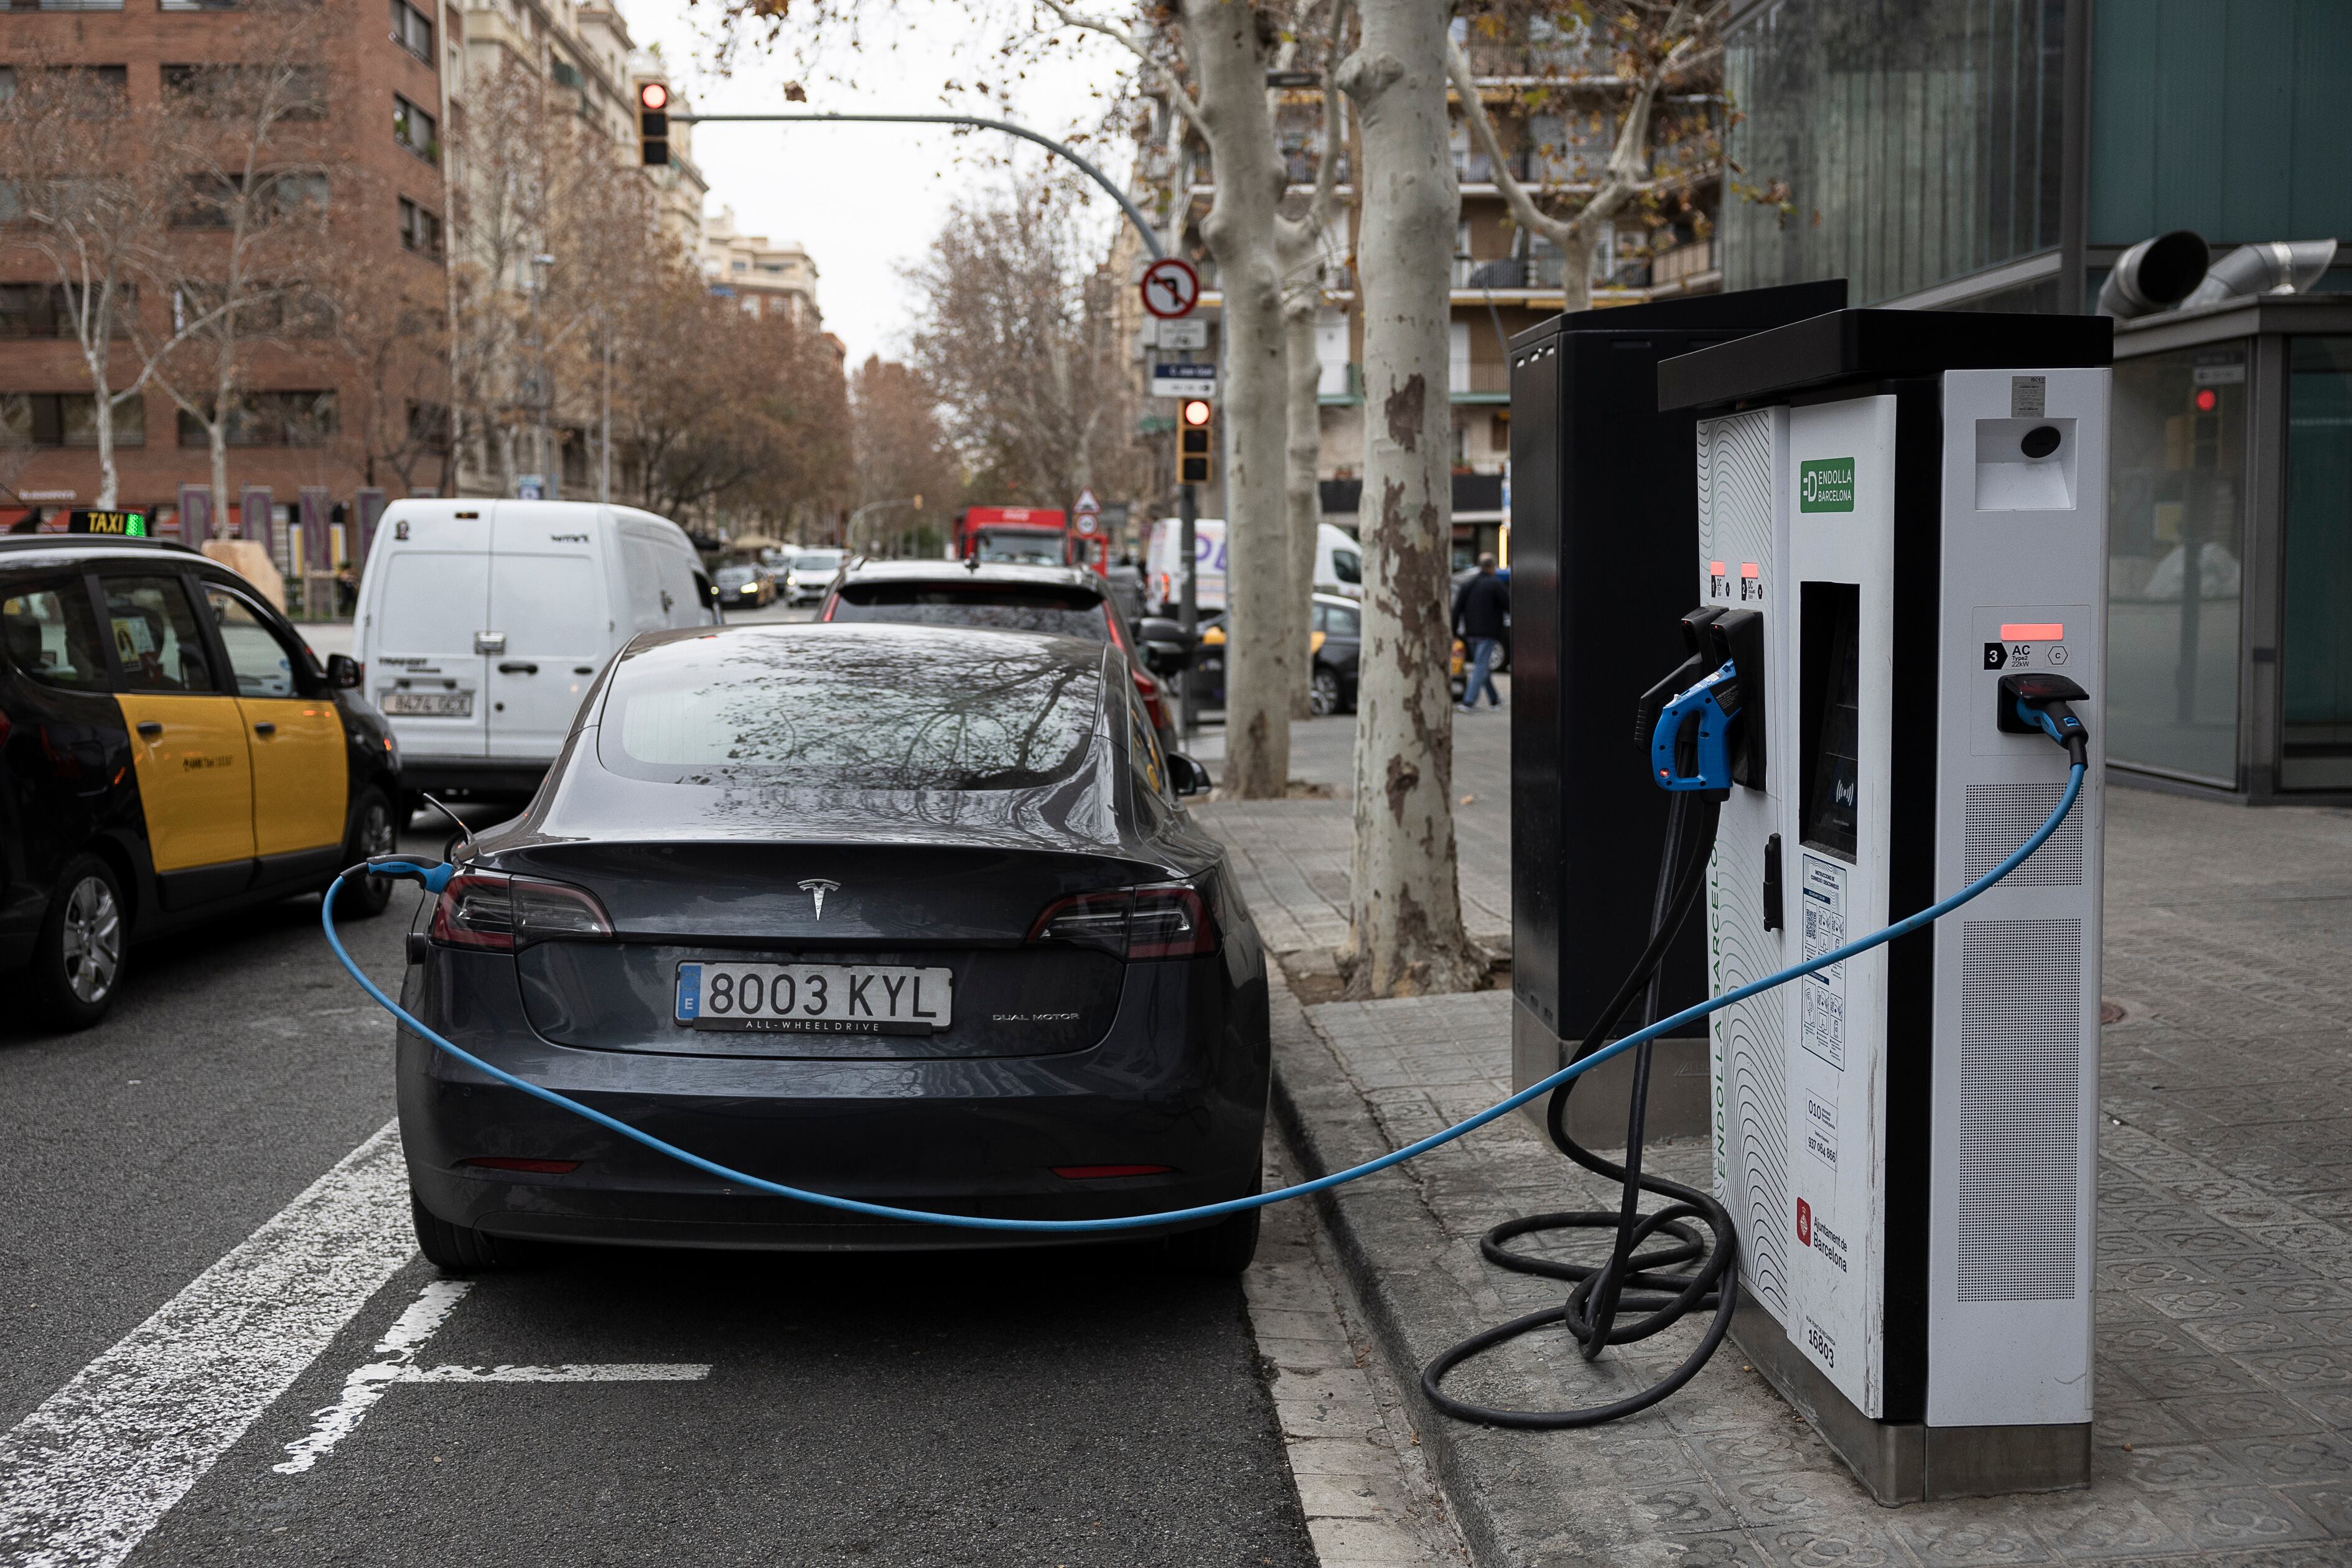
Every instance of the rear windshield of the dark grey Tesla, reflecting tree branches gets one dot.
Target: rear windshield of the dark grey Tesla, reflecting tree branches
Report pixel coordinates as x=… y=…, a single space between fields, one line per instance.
x=853 y=711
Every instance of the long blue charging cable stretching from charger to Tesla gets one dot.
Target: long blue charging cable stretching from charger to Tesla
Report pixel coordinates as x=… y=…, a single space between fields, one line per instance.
x=436 y=878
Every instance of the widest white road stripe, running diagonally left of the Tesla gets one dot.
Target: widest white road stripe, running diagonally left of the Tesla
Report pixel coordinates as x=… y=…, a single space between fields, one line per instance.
x=91 y=1473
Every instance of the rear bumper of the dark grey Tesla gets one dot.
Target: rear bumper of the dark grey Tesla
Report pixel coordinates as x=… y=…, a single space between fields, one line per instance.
x=973 y=1137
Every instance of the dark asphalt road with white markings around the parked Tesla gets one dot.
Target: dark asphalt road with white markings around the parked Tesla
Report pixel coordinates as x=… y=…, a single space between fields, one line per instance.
x=312 y=1393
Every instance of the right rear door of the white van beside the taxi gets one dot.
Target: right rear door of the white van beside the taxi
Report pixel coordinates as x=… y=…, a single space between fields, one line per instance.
x=547 y=596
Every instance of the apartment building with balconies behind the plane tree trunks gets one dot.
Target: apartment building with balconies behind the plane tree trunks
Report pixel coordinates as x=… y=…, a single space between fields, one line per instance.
x=1556 y=107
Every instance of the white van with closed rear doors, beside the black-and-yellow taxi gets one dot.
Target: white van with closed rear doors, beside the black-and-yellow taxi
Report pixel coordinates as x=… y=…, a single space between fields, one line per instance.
x=486 y=622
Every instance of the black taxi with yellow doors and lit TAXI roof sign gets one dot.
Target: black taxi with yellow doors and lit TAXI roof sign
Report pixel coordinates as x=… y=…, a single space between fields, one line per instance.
x=171 y=749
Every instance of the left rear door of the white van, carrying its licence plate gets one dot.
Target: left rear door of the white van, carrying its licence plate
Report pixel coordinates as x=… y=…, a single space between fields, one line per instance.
x=422 y=659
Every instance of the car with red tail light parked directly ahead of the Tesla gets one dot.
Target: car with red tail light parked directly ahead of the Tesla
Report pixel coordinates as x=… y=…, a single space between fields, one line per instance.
x=1055 y=601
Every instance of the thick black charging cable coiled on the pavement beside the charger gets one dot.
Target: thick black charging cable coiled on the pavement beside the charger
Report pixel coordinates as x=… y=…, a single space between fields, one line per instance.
x=1683 y=1271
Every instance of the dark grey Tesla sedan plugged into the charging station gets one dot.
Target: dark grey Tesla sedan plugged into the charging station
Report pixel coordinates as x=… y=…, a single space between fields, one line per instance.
x=883 y=911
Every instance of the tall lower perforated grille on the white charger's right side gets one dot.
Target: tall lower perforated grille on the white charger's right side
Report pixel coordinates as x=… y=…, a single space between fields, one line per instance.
x=2019 y=1108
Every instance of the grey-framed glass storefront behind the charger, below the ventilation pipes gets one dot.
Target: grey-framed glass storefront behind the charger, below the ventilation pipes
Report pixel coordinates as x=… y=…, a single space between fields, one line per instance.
x=2231 y=551
